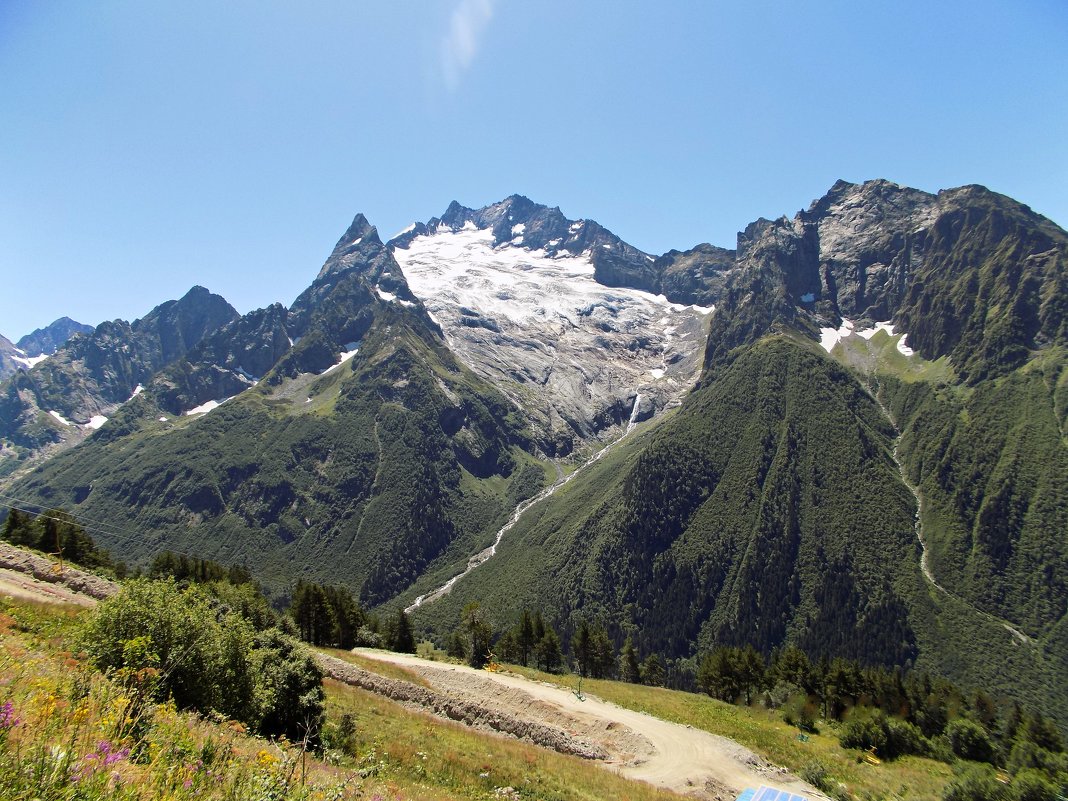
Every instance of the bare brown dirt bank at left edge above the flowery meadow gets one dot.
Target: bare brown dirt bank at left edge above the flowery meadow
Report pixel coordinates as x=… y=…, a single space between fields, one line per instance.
x=35 y=577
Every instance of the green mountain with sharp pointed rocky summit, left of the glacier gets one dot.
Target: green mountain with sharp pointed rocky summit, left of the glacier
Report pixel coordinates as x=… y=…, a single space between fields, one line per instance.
x=357 y=474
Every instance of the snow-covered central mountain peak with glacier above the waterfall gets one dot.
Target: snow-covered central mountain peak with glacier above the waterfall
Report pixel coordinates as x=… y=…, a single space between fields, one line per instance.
x=515 y=288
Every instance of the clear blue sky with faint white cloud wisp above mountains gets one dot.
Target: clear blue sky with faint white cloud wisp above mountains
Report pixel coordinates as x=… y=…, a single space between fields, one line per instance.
x=146 y=148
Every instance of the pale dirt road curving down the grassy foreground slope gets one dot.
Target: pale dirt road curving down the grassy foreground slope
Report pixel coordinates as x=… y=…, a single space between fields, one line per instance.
x=684 y=760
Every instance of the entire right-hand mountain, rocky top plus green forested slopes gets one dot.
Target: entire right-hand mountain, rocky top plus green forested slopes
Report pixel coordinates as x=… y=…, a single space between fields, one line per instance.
x=772 y=509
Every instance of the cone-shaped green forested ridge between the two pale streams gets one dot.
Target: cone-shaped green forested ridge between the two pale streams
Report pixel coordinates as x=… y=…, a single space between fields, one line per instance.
x=730 y=523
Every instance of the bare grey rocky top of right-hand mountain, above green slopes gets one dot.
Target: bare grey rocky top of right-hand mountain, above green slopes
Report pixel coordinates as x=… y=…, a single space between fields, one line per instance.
x=934 y=265
